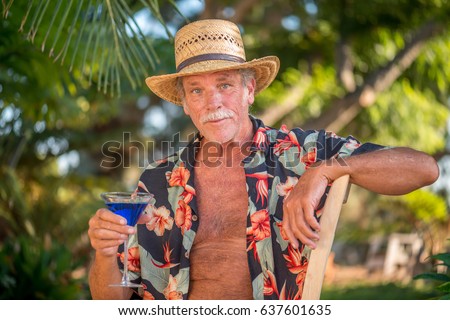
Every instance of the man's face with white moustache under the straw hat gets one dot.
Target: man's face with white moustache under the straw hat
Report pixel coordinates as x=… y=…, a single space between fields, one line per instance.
x=218 y=105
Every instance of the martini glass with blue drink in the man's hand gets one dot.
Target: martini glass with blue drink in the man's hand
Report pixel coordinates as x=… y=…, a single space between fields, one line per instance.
x=129 y=205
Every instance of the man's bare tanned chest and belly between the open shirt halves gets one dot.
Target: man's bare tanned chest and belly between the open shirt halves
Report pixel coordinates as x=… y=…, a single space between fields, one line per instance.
x=219 y=268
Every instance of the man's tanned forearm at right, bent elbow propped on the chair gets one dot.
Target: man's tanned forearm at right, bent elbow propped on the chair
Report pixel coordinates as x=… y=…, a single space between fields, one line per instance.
x=393 y=171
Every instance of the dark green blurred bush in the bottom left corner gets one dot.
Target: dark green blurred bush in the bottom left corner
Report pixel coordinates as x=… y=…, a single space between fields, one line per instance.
x=30 y=269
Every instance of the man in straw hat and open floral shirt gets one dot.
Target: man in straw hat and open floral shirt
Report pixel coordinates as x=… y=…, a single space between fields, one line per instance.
x=234 y=210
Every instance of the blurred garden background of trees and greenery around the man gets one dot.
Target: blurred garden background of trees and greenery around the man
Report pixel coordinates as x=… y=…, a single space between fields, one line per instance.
x=77 y=119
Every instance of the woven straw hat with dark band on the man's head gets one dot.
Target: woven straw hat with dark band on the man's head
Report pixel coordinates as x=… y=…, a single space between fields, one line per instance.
x=209 y=46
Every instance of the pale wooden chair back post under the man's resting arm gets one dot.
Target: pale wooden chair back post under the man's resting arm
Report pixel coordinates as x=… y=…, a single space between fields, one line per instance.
x=318 y=258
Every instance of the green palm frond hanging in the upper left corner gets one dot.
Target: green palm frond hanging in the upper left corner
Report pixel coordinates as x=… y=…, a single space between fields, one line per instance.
x=102 y=37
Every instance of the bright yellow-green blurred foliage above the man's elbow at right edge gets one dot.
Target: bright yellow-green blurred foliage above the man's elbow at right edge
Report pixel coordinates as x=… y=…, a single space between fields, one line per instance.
x=404 y=116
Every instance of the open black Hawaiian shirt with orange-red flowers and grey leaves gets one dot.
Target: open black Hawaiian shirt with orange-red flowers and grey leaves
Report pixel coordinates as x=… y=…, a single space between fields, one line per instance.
x=159 y=251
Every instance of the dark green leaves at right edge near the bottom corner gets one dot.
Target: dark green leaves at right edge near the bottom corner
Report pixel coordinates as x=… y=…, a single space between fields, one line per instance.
x=441 y=279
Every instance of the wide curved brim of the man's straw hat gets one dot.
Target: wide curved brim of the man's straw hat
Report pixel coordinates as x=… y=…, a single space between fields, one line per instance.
x=165 y=86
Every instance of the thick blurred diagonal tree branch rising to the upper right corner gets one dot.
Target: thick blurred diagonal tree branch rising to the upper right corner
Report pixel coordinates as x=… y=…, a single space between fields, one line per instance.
x=345 y=110
